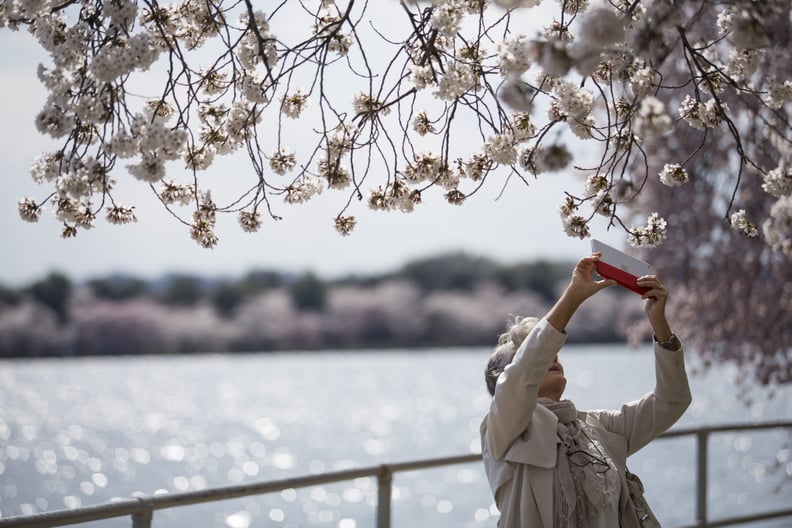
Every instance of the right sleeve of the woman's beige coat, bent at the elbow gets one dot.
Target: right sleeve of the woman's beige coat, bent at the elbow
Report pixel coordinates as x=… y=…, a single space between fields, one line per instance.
x=643 y=420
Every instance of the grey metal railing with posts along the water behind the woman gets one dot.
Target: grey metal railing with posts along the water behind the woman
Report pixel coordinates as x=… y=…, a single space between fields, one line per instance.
x=142 y=509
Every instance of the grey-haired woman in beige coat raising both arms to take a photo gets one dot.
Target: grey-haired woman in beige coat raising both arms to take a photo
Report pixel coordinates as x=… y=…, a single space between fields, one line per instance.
x=551 y=465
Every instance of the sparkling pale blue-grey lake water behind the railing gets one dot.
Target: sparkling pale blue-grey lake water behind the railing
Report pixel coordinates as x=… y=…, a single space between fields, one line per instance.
x=79 y=432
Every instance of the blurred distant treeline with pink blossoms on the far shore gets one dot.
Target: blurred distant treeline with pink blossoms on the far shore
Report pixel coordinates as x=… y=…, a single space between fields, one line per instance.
x=448 y=300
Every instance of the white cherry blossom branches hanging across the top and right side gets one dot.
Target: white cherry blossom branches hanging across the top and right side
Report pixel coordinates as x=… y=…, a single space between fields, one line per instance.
x=676 y=114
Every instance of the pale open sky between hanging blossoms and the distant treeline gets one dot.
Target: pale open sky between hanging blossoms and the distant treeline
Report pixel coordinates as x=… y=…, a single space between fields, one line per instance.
x=520 y=225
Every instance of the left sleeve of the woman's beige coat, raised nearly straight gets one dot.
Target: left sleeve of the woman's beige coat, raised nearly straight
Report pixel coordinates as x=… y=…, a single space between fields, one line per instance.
x=515 y=399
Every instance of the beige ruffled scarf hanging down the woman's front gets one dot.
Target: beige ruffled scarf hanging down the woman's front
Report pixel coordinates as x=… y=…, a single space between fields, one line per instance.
x=586 y=478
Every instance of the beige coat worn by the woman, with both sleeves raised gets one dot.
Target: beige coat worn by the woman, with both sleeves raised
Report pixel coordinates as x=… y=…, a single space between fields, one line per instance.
x=519 y=441
